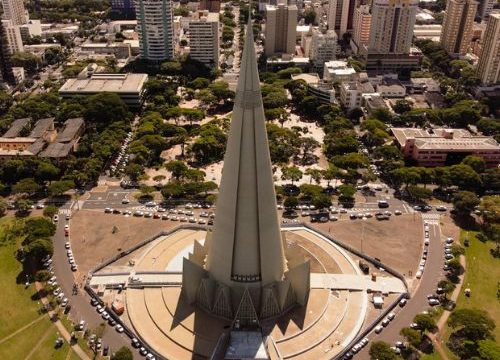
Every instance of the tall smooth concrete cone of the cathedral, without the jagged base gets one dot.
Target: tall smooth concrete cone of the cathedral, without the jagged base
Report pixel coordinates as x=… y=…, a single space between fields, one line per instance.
x=246 y=245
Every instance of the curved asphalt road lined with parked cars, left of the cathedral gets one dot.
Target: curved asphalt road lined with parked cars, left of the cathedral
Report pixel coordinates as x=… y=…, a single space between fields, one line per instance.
x=80 y=303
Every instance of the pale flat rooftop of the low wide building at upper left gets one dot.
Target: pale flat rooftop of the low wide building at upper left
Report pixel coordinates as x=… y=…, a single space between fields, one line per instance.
x=117 y=83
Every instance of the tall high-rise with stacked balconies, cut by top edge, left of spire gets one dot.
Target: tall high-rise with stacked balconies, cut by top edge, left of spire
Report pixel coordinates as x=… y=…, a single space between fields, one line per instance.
x=154 y=26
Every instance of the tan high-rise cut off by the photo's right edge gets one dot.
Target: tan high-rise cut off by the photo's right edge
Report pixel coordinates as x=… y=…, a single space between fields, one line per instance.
x=488 y=67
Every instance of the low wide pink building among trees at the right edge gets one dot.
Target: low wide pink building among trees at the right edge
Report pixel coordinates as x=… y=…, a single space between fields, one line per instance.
x=440 y=147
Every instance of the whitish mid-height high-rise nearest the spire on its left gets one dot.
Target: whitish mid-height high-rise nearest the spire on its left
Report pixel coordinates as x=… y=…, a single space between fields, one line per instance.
x=204 y=39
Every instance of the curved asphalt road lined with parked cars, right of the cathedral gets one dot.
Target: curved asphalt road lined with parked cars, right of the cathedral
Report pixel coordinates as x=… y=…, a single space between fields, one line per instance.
x=418 y=301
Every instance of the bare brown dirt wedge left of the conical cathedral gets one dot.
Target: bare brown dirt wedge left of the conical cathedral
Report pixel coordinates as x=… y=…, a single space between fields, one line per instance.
x=93 y=239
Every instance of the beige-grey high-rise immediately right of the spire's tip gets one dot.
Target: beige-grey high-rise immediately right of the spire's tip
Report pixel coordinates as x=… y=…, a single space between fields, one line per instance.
x=281 y=29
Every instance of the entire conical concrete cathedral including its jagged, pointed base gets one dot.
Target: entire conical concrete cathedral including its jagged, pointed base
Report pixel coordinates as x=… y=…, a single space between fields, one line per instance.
x=241 y=272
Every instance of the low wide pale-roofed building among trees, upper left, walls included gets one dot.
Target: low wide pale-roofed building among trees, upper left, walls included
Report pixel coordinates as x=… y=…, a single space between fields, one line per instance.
x=129 y=87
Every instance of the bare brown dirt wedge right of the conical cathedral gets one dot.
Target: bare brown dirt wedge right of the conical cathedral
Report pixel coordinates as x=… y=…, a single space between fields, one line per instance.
x=397 y=242
